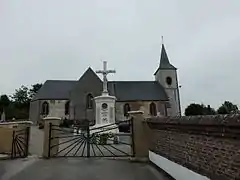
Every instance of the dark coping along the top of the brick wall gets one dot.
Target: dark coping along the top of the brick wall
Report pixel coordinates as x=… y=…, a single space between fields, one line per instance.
x=224 y=126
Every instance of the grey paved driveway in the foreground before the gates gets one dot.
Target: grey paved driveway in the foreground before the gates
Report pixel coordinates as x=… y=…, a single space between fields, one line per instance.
x=77 y=168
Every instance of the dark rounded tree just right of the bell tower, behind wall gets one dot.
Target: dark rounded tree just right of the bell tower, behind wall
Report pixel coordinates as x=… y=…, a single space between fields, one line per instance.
x=199 y=109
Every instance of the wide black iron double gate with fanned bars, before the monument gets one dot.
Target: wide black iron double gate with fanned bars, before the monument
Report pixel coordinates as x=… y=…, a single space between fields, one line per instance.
x=85 y=141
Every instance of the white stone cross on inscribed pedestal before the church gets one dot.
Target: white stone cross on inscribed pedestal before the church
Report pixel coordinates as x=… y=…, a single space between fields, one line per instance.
x=105 y=104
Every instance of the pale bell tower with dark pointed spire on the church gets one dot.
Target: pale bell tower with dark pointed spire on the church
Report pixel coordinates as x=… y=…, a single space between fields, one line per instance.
x=166 y=75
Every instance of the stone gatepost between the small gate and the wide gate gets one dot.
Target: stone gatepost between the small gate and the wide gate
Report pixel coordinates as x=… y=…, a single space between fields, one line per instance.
x=50 y=123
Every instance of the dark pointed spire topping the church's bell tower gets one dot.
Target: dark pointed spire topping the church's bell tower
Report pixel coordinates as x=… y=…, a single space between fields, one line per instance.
x=164 y=61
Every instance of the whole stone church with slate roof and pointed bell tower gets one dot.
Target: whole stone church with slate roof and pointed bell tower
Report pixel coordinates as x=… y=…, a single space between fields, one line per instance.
x=74 y=99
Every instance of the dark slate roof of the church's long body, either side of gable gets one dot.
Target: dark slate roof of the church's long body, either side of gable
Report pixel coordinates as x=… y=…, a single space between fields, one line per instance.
x=123 y=90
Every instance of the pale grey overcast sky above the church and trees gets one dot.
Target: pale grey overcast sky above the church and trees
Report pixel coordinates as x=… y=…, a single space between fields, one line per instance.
x=60 y=39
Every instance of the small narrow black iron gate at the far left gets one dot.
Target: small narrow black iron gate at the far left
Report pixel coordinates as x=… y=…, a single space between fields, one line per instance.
x=20 y=143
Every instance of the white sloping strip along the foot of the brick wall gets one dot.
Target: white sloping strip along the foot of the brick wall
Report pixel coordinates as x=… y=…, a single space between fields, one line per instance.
x=175 y=170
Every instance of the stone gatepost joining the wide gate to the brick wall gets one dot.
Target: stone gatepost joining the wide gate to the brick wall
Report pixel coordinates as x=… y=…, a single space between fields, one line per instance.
x=140 y=135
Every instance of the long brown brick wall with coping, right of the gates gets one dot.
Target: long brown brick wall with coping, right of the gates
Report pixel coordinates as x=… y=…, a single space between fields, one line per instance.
x=208 y=145
